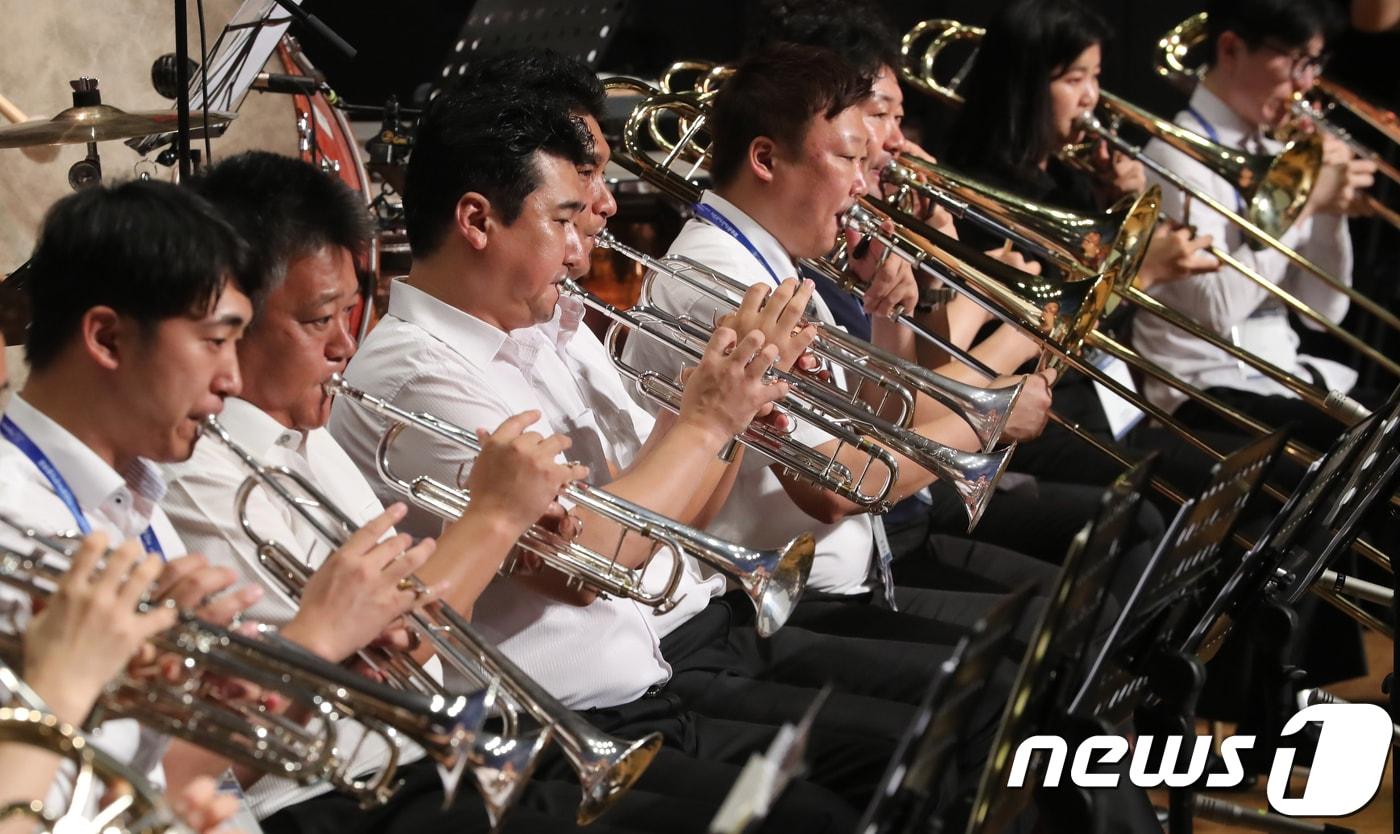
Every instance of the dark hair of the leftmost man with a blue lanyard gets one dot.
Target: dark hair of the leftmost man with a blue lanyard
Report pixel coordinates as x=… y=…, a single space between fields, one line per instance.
x=148 y=250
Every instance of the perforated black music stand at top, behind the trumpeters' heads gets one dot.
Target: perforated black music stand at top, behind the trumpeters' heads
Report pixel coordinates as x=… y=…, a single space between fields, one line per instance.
x=579 y=29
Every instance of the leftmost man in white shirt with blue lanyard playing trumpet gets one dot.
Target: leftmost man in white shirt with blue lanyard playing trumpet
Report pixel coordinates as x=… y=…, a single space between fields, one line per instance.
x=138 y=299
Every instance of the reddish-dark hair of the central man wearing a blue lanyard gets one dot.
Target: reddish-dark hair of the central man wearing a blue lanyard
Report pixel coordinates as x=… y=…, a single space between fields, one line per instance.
x=776 y=93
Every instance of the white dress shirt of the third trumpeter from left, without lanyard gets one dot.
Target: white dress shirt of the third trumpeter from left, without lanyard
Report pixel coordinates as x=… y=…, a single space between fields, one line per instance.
x=428 y=356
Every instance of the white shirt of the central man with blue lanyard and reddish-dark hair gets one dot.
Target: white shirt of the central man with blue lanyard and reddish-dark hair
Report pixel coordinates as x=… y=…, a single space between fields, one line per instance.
x=759 y=511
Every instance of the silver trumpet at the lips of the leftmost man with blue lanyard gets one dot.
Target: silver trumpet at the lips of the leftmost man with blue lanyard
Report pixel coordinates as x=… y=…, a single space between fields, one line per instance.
x=607 y=766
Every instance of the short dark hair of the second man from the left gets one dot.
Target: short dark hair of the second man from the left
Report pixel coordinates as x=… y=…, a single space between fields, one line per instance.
x=286 y=209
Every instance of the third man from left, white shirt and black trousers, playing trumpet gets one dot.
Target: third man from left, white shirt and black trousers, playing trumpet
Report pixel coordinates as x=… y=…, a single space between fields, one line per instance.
x=468 y=344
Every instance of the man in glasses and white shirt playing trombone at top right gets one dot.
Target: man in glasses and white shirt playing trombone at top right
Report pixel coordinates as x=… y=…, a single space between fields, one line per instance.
x=1261 y=54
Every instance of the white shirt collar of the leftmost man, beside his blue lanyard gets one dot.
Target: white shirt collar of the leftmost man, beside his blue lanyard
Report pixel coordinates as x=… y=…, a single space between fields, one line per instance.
x=90 y=478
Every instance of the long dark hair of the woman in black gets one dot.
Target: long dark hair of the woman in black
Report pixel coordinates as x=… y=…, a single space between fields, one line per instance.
x=1007 y=124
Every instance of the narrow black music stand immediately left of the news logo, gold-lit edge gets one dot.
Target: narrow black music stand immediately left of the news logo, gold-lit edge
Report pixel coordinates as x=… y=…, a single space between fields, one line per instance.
x=1067 y=629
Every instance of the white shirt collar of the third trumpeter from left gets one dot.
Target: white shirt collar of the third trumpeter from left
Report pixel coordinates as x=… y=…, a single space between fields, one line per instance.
x=477 y=341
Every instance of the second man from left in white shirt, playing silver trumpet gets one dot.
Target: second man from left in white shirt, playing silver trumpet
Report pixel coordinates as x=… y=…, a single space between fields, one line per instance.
x=307 y=229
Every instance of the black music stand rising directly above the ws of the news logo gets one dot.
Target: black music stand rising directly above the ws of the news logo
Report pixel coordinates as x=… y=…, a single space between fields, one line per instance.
x=1142 y=664
